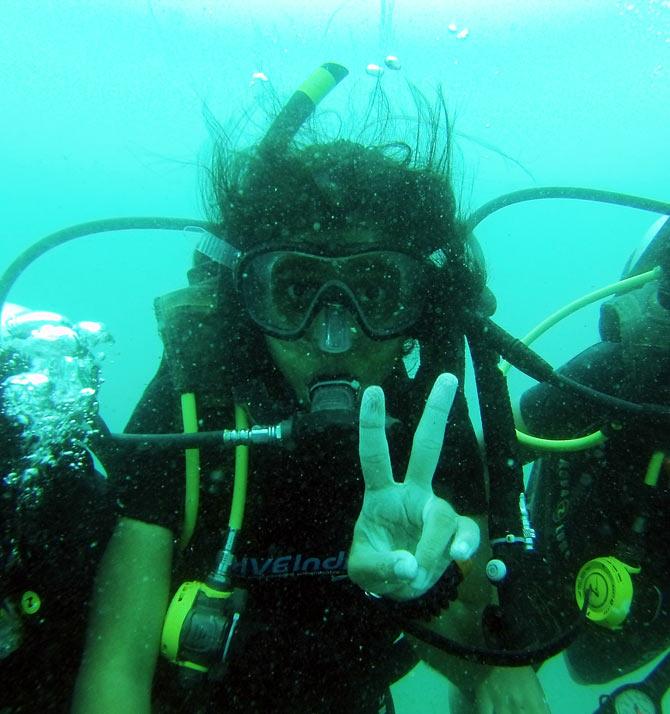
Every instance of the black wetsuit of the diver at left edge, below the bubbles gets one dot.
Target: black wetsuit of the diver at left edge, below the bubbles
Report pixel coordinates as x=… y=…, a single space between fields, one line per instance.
x=50 y=544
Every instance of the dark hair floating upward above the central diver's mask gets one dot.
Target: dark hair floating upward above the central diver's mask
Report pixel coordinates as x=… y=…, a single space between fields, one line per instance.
x=374 y=181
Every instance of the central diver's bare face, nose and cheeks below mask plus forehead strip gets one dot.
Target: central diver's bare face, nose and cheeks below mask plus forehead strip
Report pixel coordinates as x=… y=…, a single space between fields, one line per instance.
x=334 y=344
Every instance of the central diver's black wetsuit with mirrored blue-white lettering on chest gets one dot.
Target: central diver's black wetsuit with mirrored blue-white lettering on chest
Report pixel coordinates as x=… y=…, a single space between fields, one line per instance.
x=312 y=641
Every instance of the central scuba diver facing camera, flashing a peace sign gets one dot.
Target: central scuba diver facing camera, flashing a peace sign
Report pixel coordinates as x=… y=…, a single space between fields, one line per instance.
x=290 y=561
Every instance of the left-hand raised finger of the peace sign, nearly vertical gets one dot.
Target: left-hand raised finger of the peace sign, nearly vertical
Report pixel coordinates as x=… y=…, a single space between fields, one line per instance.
x=373 y=447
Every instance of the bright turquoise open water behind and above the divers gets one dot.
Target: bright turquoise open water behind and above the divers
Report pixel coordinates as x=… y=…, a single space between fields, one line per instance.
x=104 y=114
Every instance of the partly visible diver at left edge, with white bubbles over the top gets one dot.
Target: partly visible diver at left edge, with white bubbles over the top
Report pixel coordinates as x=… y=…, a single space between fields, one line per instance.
x=48 y=558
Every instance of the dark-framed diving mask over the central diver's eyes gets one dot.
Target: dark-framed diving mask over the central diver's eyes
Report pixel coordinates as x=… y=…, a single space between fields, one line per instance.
x=284 y=289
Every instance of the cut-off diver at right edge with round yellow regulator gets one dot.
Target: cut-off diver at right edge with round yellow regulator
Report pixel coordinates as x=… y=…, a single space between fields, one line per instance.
x=600 y=513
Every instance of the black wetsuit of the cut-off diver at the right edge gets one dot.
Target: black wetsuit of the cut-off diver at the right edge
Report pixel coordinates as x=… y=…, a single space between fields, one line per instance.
x=584 y=504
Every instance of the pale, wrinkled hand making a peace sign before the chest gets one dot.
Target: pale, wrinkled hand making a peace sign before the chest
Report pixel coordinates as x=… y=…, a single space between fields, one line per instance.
x=405 y=536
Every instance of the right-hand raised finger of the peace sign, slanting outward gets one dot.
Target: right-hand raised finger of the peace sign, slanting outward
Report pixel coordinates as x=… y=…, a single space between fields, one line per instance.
x=429 y=434
